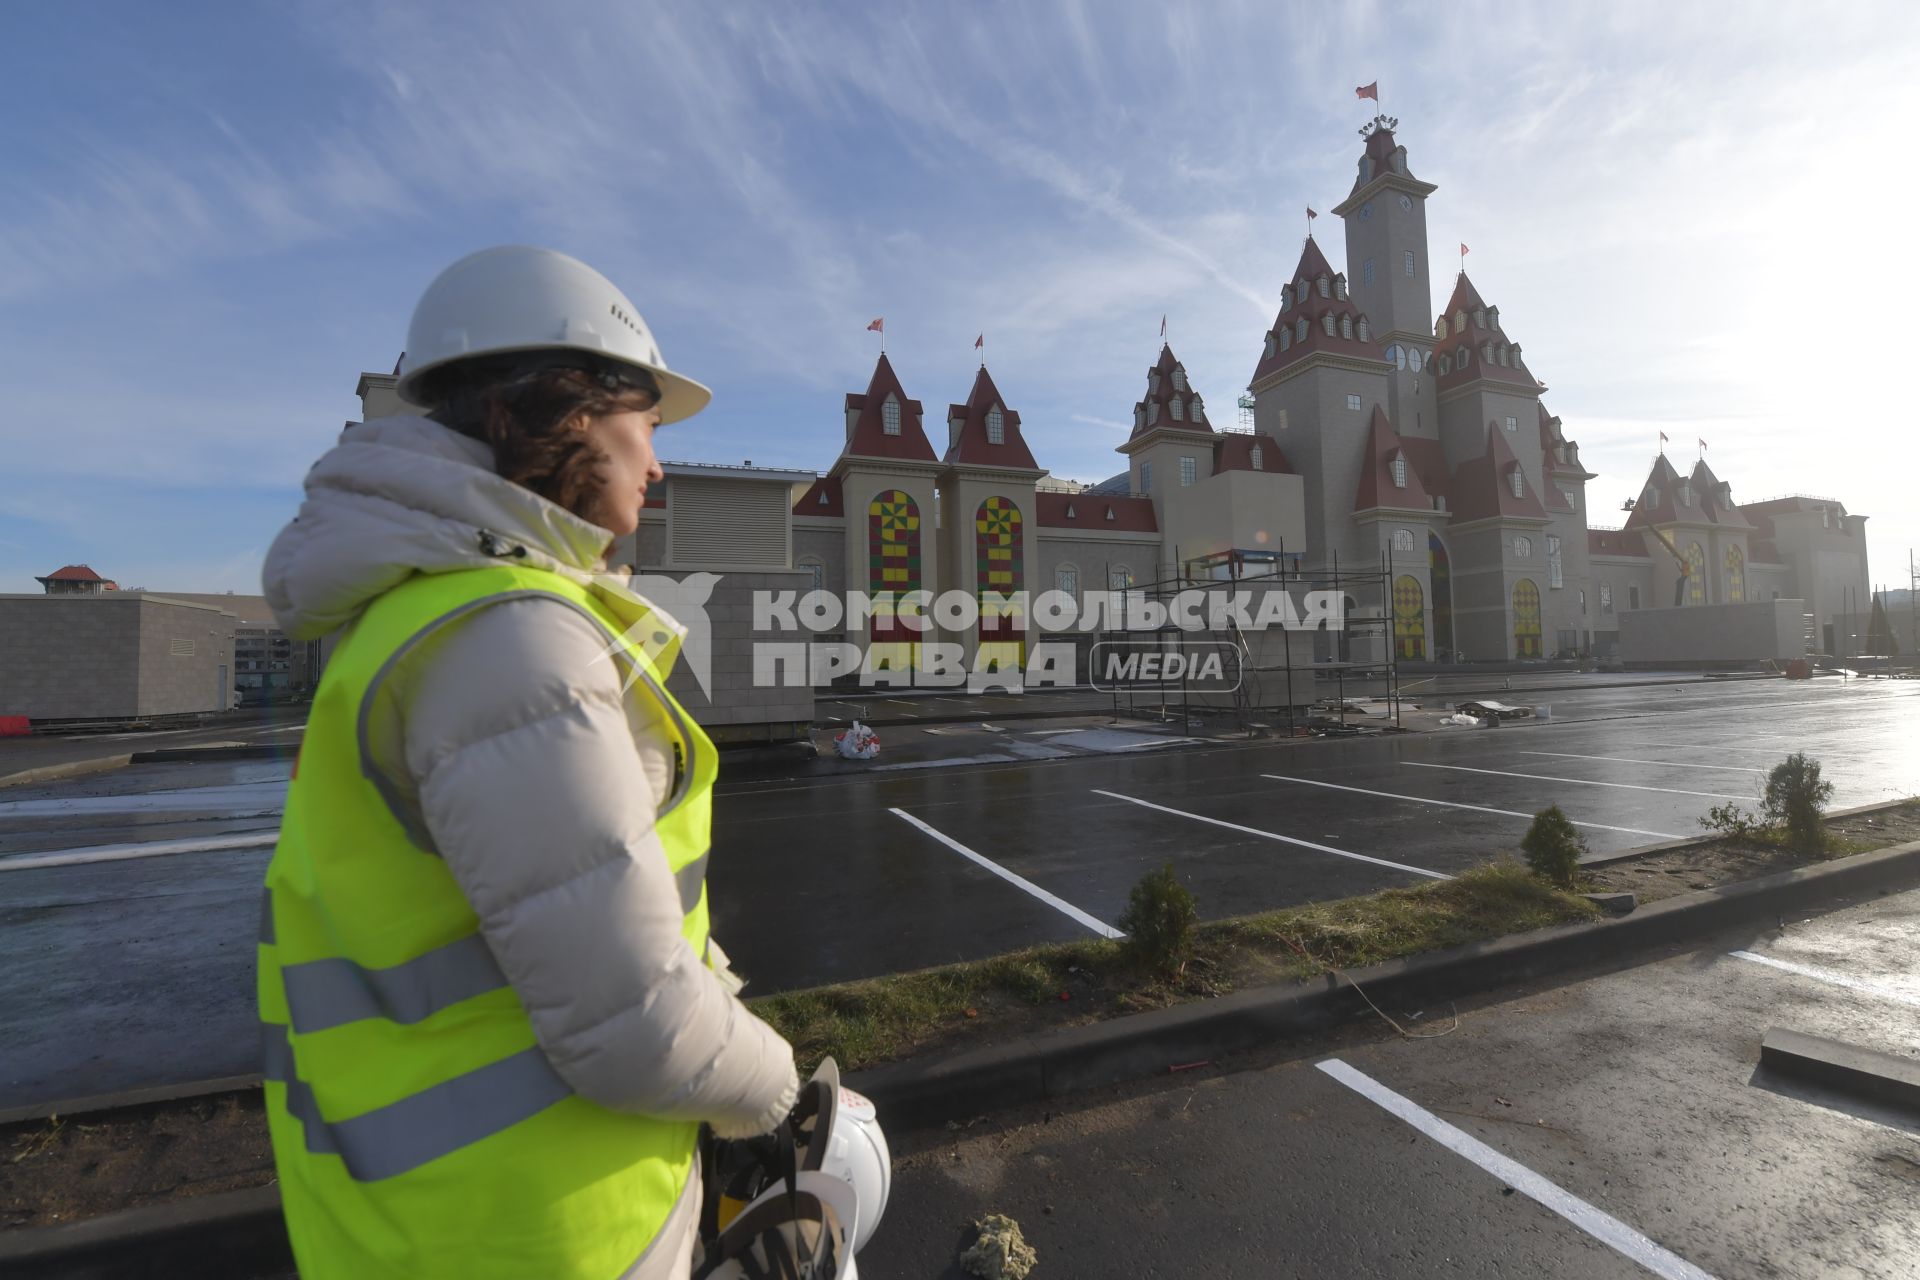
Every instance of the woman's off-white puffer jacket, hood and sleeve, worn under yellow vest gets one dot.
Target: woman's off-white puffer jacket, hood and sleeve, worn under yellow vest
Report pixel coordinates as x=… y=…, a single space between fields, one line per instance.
x=510 y=711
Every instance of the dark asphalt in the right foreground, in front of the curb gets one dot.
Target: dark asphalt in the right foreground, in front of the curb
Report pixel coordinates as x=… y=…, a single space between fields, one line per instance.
x=1614 y=1126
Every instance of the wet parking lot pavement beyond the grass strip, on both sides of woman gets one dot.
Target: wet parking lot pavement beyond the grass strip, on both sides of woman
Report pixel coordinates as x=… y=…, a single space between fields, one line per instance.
x=139 y=972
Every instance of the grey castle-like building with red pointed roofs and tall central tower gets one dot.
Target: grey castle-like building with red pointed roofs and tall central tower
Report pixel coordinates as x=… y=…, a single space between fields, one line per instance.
x=1383 y=435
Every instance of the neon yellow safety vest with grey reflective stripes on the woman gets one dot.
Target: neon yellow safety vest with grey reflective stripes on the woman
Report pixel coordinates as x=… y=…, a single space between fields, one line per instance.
x=418 y=1127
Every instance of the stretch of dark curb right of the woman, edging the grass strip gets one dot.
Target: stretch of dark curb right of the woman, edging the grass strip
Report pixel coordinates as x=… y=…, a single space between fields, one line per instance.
x=1065 y=1062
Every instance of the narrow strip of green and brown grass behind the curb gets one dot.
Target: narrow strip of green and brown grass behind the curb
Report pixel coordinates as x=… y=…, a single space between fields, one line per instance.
x=884 y=1020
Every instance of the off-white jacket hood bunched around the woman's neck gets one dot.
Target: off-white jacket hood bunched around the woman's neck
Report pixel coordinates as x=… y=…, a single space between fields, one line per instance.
x=406 y=496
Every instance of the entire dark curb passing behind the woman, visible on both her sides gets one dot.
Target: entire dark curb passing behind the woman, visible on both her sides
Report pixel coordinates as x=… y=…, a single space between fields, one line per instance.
x=243 y=1235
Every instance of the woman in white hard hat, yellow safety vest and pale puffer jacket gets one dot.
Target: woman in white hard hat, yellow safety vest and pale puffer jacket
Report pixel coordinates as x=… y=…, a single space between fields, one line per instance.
x=491 y=1010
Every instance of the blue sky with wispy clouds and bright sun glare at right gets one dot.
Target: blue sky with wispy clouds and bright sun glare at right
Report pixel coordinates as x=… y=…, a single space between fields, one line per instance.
x=1696 y=218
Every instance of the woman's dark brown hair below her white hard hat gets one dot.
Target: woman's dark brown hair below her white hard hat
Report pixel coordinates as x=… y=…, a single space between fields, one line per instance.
x=529 y=415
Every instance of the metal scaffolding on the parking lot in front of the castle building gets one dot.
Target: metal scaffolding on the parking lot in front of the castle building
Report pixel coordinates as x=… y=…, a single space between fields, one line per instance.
x=1291 y=678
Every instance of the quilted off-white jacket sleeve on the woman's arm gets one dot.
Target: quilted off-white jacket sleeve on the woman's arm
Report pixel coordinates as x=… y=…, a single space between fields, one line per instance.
x=519 y=747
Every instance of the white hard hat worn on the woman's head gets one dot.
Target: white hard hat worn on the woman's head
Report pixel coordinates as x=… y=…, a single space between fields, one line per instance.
x=519 y=298
